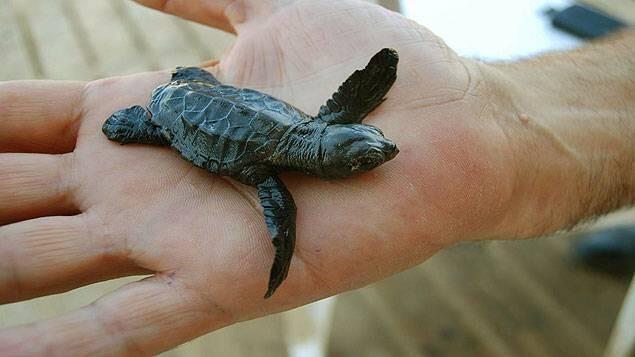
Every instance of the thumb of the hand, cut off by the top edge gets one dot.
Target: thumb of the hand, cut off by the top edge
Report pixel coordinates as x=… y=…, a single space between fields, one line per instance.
x=226 y=15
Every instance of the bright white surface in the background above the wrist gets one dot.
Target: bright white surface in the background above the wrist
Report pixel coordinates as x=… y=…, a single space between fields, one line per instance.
x=492 y=29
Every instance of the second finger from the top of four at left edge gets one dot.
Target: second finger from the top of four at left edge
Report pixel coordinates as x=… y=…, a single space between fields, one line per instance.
x=35 y=185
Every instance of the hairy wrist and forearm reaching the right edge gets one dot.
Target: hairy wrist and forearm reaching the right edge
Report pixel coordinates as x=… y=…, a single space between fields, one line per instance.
x=570 y=121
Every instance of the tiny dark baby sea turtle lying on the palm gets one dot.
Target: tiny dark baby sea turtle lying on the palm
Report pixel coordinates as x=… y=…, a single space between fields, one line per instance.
x=252 y=137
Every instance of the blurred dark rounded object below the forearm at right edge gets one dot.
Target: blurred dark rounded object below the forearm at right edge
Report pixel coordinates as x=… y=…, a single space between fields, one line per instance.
x=611 y=250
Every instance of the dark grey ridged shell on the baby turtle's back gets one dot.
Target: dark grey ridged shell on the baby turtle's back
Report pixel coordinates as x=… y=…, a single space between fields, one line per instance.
x=221 y=128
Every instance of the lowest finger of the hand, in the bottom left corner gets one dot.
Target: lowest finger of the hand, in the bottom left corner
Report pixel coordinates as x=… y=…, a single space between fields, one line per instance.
x=141 y=318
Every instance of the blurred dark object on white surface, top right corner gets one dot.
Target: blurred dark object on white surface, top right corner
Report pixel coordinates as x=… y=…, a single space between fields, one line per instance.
x=585 y=22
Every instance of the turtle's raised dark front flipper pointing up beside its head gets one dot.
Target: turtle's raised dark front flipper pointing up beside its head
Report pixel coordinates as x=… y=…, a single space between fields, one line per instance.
x=363 y=91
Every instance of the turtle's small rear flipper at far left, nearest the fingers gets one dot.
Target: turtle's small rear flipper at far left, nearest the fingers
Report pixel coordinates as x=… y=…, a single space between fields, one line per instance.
x=133 y=125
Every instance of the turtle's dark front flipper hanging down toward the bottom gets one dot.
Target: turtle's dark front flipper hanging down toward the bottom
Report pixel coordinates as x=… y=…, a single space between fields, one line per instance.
x=279 y=212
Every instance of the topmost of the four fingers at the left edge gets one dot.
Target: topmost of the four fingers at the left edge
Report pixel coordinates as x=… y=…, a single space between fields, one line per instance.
x=39 y=116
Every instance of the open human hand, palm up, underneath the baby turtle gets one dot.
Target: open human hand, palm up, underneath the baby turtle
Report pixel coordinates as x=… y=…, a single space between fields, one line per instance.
x=108 y=210
